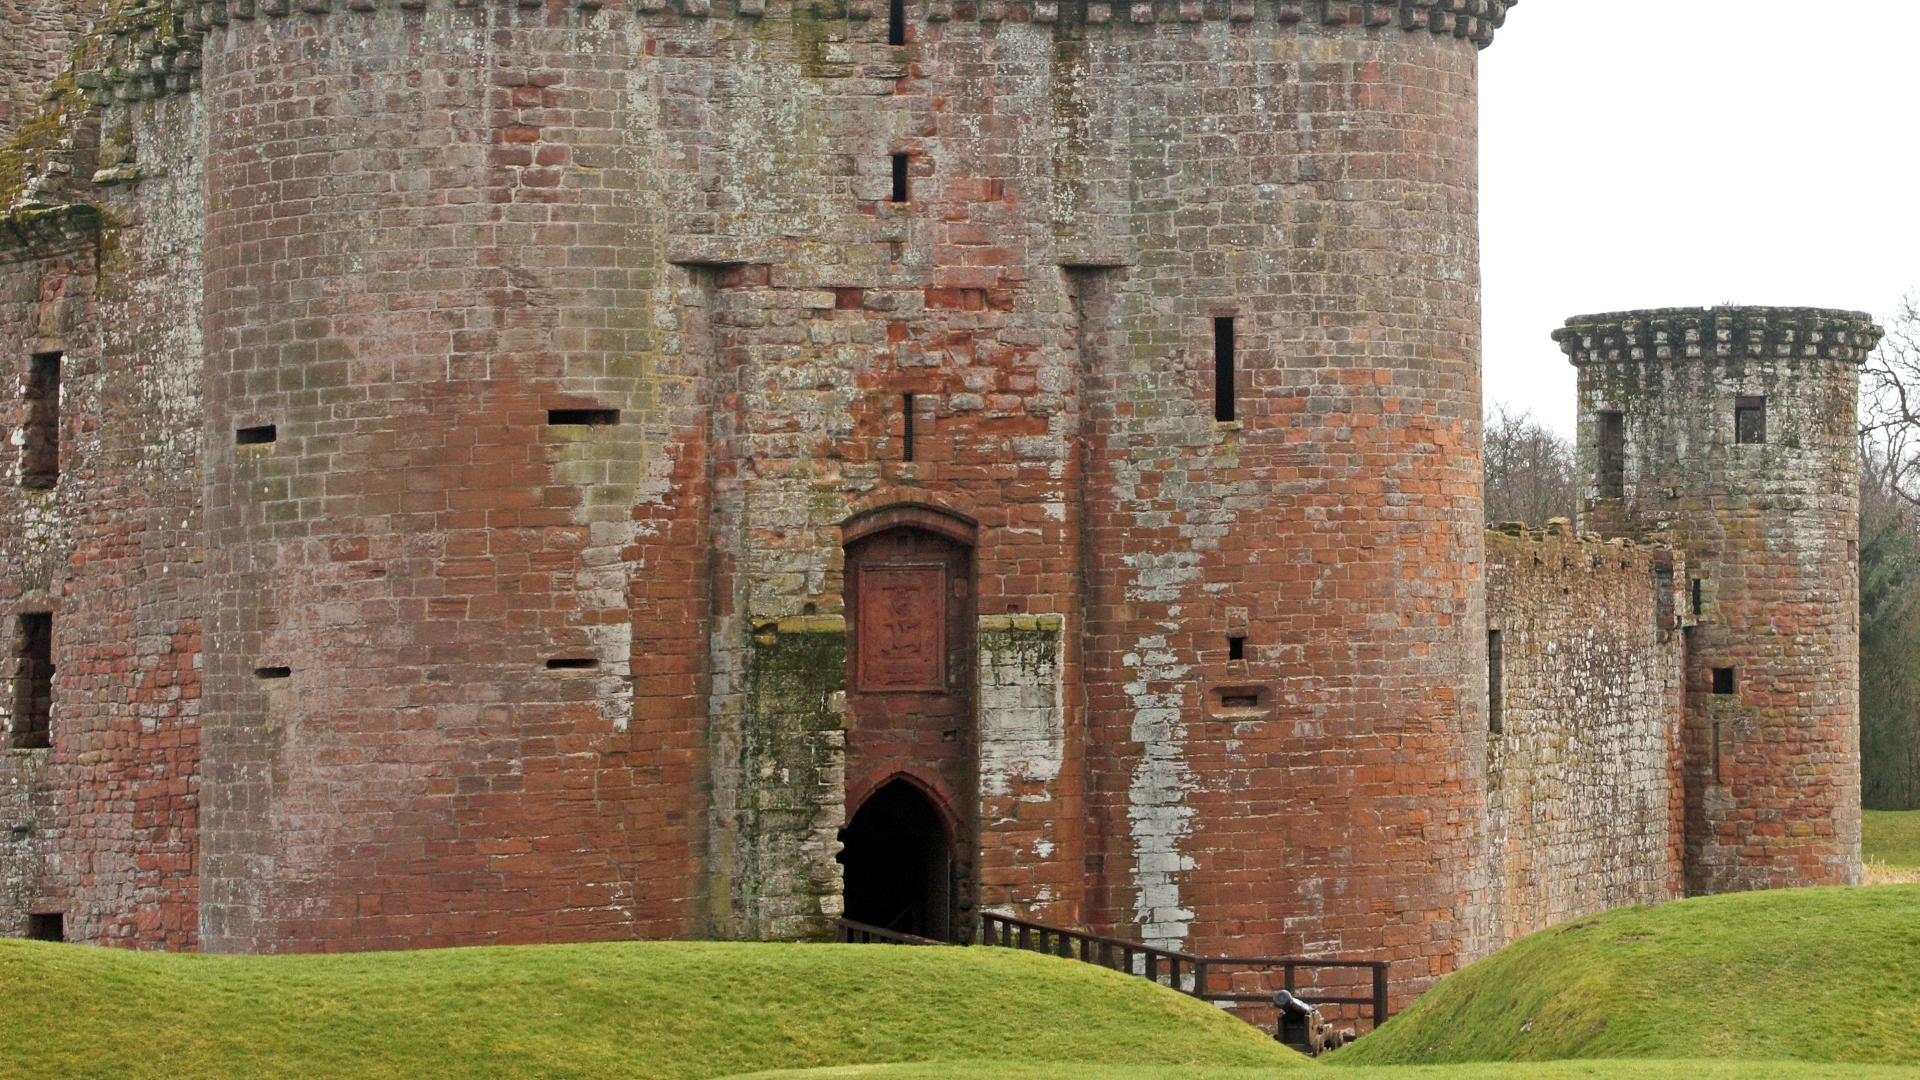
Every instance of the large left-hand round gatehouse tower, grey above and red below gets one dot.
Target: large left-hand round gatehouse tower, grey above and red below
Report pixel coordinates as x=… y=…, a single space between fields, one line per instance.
x=427 y=230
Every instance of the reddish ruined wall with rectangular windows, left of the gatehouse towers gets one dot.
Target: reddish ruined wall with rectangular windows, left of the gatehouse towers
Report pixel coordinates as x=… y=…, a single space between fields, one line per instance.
x=112 y=551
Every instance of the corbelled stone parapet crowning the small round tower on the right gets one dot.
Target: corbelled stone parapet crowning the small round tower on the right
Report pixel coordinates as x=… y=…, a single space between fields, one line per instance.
x=1673 y=333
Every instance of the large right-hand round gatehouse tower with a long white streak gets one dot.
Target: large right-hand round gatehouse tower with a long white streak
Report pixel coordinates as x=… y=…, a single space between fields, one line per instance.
x=1316 y=184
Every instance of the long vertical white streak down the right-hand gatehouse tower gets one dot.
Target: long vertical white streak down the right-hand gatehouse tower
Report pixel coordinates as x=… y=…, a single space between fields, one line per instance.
x=1157 y=798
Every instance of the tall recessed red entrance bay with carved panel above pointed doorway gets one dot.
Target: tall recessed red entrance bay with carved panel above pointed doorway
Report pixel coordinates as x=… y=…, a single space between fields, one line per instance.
x=911 y=679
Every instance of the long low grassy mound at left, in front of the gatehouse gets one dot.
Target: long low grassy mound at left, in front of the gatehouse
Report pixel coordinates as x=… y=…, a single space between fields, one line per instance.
x=669 y=1012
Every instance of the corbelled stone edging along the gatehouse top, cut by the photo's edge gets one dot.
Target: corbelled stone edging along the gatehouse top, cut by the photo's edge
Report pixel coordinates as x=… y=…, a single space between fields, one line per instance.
x=155 y=47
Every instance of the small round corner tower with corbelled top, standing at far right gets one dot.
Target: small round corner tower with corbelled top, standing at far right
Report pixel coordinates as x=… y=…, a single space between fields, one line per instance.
x=1731 y=431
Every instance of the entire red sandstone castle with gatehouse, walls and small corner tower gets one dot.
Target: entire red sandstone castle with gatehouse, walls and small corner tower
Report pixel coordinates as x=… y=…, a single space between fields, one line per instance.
x=579 y=470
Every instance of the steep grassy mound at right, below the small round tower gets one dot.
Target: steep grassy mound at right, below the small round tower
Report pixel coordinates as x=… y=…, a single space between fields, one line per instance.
x=1804 y=975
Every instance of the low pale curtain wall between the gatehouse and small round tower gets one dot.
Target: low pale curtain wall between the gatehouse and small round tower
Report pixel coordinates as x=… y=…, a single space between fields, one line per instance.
x=1585 y=764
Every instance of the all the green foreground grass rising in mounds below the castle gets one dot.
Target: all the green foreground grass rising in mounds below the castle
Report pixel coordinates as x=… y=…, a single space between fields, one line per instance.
x=1804 y=979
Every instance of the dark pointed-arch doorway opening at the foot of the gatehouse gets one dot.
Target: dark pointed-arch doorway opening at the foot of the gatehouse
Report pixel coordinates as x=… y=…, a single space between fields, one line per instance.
x=900 y=864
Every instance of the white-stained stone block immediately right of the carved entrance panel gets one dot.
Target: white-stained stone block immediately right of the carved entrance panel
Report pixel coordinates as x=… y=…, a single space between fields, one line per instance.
x=1022 y=712
